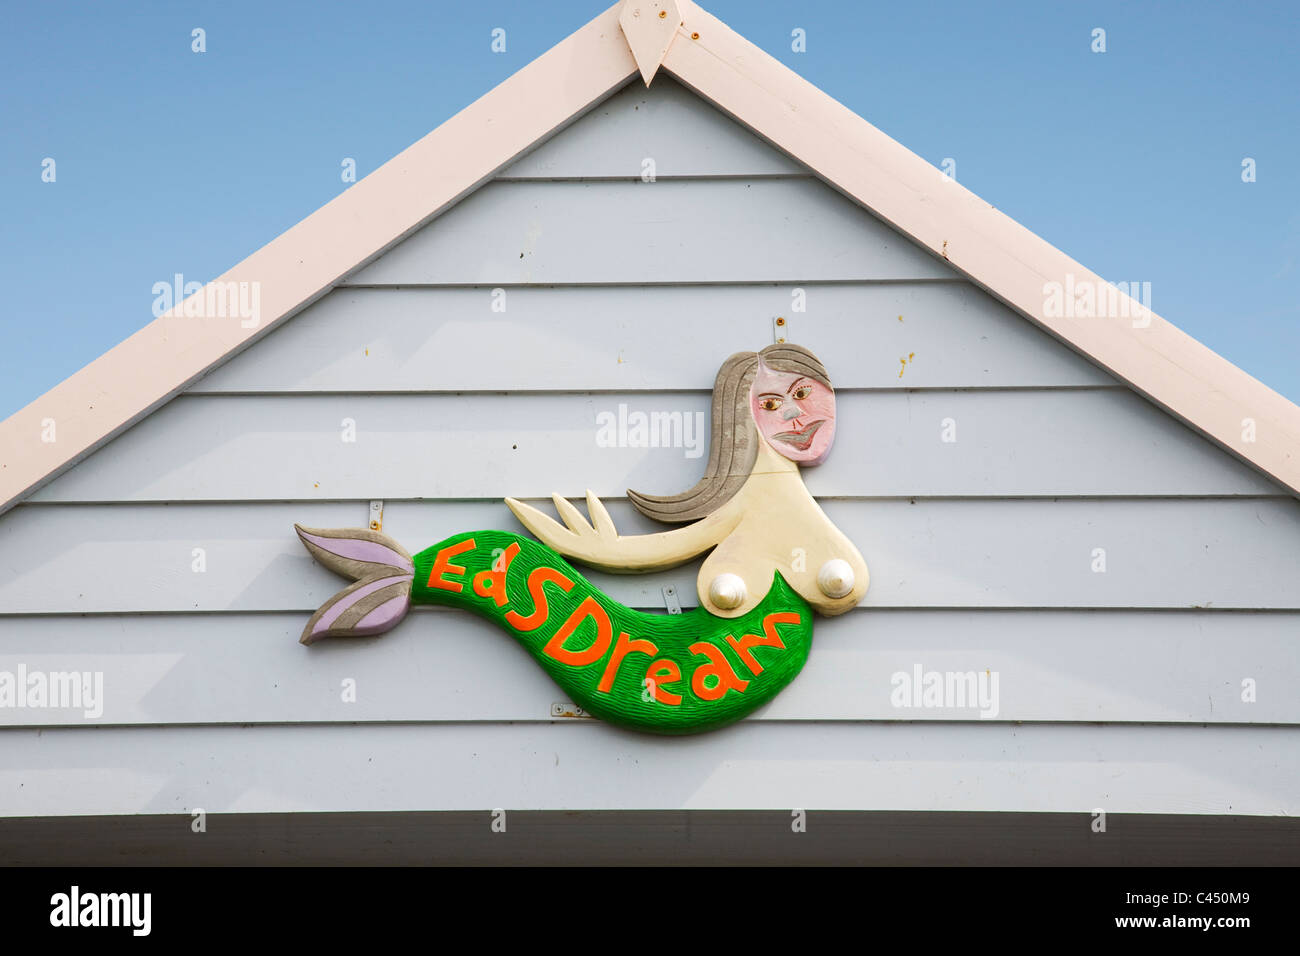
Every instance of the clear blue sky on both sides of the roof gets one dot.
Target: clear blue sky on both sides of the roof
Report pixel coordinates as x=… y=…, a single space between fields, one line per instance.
x=172 y=162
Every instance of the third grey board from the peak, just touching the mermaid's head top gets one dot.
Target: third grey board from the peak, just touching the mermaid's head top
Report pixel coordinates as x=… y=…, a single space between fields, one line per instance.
x=614 y=338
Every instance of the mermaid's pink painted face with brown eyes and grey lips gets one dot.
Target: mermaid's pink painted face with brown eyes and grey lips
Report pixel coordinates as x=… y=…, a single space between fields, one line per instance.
x=794 y=413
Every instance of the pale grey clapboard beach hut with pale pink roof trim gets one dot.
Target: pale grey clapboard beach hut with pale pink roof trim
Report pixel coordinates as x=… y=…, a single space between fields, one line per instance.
x=1081 y=525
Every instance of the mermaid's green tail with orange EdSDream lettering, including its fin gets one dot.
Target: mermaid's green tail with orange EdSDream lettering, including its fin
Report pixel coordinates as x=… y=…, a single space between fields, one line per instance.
x=658 y=673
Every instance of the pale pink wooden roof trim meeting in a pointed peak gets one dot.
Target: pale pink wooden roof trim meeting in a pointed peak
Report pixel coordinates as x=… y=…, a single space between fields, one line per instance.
x=1171 y=369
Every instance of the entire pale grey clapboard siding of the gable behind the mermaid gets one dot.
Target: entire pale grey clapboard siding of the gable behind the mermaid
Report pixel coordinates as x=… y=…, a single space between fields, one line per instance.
x=475 y=358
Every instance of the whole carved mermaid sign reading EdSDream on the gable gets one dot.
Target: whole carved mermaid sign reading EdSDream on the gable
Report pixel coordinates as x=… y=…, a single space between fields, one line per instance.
x=775 y=559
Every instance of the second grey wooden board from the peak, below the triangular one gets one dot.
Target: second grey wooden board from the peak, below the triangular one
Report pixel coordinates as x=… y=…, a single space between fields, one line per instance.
x=683 y=231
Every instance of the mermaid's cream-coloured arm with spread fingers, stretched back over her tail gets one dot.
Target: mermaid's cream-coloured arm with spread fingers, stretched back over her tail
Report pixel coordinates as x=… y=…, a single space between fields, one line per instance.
x=600 y=546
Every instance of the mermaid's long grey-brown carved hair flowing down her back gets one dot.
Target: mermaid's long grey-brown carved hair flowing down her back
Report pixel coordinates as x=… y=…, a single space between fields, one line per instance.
x=734 y=440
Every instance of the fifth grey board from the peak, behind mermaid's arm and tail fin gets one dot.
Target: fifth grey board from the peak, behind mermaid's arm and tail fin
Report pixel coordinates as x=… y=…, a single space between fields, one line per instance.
x=946 y=553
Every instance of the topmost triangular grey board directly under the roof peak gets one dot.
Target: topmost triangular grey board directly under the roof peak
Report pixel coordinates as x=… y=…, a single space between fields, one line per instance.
x=674 y=128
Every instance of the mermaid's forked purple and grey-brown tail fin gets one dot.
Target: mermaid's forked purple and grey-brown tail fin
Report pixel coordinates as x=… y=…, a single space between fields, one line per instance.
x=380 y=595
